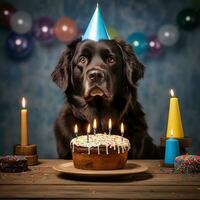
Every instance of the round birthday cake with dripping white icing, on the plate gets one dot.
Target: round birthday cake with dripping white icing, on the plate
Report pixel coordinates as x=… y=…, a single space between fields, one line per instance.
x=100 y=152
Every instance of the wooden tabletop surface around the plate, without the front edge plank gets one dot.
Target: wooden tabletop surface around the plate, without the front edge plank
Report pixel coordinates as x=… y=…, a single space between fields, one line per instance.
x=44 y=174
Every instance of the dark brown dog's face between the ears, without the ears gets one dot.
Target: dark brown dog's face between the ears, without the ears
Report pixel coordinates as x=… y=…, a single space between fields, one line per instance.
x=97 y=69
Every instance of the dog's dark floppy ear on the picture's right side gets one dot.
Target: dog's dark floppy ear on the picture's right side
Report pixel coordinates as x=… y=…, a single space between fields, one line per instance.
x=134 y=69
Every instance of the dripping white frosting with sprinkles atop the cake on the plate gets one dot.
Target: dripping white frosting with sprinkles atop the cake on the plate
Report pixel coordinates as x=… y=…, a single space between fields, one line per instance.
x=101 y=140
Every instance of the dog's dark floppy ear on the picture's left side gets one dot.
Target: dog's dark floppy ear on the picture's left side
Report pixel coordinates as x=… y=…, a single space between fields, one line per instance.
x=62 y=71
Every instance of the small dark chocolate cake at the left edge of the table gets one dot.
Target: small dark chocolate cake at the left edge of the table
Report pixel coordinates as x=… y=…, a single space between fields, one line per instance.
x=13 y=163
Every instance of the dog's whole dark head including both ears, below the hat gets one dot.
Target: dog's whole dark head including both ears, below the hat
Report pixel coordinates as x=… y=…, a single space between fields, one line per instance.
x=97 y=69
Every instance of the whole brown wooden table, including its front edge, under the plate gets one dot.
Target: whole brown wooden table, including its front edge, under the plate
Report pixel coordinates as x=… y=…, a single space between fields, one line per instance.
x=43 y=182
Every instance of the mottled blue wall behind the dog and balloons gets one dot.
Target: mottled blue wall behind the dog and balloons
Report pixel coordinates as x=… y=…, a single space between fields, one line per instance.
x=178 y=67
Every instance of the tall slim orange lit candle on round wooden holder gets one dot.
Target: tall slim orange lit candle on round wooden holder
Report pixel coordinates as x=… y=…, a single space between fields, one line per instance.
x=24 y=133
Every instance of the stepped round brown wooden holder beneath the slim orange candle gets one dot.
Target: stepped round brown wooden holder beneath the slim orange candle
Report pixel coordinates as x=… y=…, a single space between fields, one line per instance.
x=29 y=151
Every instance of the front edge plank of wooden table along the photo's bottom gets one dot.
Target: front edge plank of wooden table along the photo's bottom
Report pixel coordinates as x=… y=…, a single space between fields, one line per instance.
x=118 y=192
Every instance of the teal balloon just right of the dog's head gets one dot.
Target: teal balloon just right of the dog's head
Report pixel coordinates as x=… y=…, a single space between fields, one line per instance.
x=139 y=42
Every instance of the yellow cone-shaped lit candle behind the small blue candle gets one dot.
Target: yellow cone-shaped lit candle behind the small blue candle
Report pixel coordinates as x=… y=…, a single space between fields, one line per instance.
x=174 y=118
